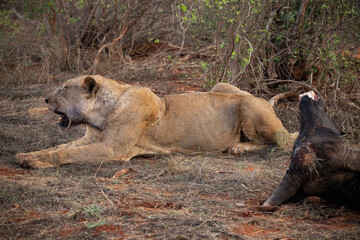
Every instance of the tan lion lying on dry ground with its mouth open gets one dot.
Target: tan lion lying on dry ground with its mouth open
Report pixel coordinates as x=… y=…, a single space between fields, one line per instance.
x=123 y=121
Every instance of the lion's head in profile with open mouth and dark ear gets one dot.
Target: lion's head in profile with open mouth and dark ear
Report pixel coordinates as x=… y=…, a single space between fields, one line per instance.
x=73 y=101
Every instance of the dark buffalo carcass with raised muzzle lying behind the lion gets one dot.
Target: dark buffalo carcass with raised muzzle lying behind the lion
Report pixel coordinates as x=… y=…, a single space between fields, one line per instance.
x=321 y=165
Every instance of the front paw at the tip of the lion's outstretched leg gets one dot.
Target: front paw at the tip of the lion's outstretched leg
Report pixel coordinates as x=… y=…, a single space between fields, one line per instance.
x=33 y=160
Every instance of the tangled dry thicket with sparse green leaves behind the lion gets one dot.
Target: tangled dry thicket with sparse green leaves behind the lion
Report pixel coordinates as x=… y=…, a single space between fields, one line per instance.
x=252 y=42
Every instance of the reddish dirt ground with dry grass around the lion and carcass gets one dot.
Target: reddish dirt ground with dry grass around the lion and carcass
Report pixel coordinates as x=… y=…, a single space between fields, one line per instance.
x=205 y=196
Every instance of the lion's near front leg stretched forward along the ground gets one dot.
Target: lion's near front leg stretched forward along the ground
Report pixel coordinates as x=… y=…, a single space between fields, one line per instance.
x=120 y=145
